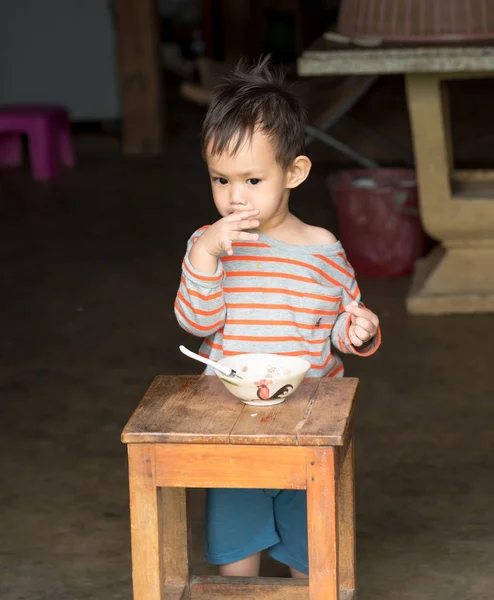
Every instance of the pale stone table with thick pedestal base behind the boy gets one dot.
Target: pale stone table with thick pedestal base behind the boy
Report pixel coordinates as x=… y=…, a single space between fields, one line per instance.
x=456 y=207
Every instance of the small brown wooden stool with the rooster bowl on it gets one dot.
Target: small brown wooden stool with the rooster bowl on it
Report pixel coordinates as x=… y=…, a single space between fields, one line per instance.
x=189 y=432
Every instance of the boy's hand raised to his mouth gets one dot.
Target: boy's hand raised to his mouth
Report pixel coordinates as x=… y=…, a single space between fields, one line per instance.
x=219 y=237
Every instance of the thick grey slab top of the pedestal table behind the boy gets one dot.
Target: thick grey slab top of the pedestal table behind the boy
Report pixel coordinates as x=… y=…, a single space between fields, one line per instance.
x=329 y=58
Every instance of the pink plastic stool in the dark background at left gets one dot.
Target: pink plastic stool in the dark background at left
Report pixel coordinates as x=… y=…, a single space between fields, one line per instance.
x=48 y=131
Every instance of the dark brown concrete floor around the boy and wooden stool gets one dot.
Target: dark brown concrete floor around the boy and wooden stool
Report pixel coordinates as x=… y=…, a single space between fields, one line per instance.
x=90 y=266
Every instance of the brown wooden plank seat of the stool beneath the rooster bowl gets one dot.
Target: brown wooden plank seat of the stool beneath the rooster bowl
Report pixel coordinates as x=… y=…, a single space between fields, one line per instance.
x=195 y=409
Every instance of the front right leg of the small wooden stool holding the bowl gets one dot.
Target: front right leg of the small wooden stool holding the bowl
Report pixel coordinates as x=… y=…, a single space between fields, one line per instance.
x=322 y=524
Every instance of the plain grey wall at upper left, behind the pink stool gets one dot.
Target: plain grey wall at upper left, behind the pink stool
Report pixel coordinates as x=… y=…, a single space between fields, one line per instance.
x=60 y=51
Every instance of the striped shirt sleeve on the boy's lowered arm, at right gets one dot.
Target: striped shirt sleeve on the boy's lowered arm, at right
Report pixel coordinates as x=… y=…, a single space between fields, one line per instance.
x=339 y=334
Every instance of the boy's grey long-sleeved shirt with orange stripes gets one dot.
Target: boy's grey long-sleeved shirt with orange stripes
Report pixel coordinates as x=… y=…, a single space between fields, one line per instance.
x=273 y=297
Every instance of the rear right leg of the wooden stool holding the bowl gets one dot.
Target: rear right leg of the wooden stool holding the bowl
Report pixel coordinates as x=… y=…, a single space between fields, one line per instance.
x=346 y=520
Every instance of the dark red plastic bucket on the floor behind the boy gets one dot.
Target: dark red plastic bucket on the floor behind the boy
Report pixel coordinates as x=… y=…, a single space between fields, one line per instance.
x=379 y=220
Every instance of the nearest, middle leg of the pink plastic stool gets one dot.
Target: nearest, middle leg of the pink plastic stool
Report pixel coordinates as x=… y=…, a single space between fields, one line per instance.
x=43 y=150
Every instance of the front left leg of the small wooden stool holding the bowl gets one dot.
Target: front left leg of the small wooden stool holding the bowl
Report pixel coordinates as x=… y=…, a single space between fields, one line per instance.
x=147 y=563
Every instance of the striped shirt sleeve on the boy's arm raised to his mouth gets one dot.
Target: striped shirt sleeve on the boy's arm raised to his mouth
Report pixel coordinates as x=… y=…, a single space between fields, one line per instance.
x=200 y=305
